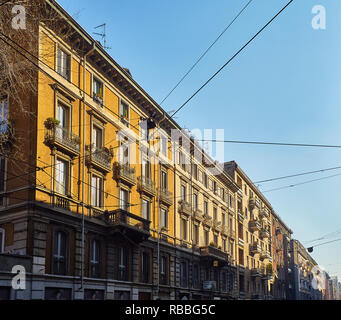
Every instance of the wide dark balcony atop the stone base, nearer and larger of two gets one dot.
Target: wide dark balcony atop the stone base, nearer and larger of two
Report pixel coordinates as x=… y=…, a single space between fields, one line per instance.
x=123 y=222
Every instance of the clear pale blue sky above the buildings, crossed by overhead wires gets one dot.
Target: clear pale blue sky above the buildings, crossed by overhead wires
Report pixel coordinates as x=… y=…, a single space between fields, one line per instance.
x=284 y=87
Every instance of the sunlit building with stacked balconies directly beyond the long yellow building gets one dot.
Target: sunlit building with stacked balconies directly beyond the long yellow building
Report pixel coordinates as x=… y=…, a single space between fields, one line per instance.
x=254 y=232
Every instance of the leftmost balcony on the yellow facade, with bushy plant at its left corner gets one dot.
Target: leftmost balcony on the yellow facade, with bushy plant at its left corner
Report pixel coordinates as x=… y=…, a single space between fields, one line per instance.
x=63 y=139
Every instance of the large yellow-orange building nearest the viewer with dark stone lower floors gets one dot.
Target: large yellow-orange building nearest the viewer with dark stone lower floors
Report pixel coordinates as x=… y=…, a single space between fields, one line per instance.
x=116 y=207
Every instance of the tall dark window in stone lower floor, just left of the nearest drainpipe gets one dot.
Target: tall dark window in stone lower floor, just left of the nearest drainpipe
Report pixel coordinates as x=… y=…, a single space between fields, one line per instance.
x=60 y=253
